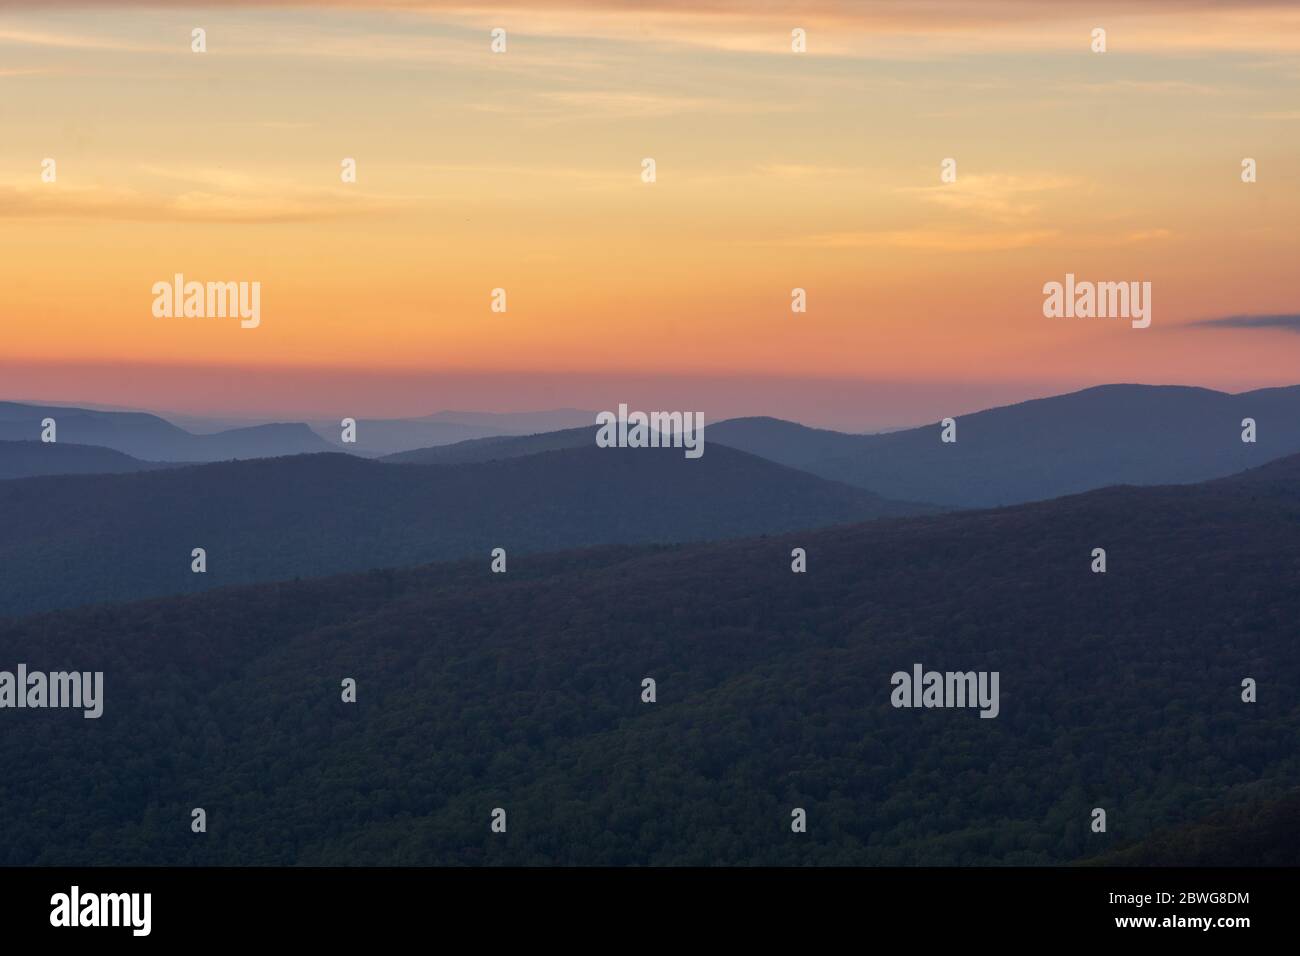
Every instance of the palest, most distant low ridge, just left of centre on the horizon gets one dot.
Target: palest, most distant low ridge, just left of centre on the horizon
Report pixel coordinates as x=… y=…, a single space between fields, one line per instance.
x=379 y=438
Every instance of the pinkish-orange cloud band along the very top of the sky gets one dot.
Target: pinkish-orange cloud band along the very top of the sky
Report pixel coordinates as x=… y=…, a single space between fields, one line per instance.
x=889 y=29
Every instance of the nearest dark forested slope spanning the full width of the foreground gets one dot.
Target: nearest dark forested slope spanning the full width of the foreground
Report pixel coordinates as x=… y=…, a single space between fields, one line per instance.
x=525 y=691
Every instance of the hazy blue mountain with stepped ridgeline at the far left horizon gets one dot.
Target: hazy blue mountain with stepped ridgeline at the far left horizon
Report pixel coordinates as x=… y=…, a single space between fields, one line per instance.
x=153 y=439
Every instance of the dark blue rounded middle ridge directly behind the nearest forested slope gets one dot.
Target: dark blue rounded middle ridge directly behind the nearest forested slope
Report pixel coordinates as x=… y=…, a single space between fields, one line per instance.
x=71 y=540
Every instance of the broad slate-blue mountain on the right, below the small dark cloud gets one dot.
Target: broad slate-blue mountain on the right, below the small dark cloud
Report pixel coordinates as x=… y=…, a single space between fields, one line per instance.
x=1047 y=448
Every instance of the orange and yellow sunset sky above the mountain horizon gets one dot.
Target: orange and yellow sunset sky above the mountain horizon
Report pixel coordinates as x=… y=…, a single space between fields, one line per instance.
x=523 y=171
